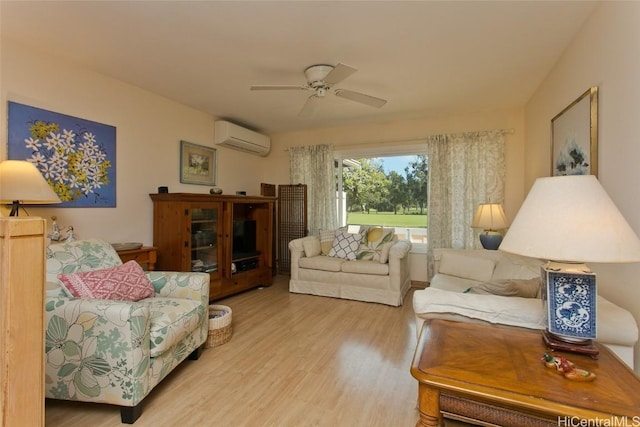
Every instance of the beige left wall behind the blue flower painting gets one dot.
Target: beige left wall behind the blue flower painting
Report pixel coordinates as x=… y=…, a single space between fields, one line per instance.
x=148 y=133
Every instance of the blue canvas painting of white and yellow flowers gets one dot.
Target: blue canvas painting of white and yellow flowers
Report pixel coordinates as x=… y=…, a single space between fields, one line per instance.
x=77 y=157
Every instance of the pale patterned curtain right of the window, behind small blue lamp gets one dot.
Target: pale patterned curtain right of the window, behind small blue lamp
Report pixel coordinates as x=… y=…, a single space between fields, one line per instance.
x=464 y=170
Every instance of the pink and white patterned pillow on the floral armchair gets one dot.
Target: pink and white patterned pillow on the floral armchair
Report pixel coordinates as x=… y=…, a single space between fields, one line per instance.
x=126 y=282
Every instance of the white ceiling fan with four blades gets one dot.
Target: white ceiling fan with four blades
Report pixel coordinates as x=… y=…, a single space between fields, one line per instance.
x=320 y=79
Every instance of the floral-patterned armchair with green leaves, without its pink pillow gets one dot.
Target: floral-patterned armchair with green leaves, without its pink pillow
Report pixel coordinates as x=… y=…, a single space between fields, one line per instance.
x=109 y=351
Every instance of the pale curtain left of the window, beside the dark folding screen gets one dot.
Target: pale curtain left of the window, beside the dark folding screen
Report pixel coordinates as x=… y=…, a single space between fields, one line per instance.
x=314 y=166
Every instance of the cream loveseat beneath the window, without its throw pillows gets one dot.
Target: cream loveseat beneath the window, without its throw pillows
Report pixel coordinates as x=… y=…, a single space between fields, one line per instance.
x=362 y=280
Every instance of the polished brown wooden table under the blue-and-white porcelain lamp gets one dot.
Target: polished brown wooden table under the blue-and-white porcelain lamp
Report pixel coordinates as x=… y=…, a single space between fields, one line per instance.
x=486 y=374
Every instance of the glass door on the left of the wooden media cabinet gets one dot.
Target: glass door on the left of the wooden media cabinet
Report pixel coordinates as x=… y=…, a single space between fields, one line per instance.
x=204 y=239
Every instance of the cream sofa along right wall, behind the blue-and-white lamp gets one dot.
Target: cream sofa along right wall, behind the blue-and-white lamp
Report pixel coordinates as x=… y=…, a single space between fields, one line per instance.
x=482 y=286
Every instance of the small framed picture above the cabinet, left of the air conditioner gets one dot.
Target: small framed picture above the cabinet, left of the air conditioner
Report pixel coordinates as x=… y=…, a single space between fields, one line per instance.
x=197 y=164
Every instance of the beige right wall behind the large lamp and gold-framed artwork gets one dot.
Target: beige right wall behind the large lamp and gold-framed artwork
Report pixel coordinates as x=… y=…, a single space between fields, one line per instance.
x=604 y=54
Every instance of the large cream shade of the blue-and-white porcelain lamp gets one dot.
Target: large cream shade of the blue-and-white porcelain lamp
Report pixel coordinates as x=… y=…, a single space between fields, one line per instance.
x=571 y=218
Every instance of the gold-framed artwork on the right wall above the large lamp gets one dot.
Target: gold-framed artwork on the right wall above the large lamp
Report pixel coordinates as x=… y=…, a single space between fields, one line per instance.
x=574 y=137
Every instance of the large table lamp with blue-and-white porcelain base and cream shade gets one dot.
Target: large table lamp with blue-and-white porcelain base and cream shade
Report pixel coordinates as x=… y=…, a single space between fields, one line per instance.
x=568 y=221
